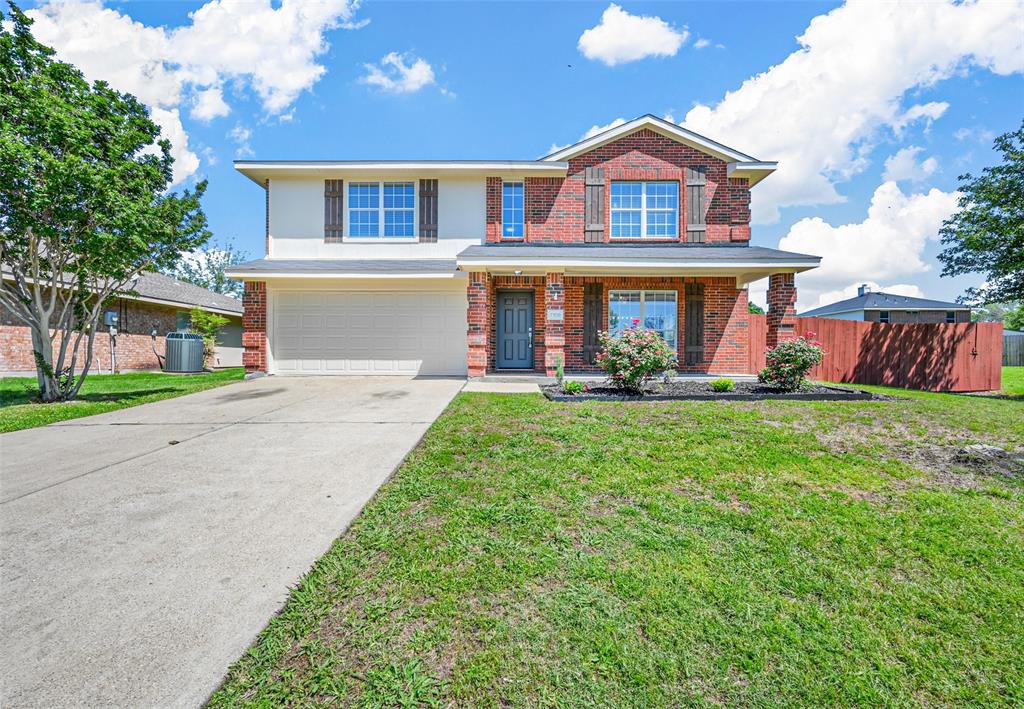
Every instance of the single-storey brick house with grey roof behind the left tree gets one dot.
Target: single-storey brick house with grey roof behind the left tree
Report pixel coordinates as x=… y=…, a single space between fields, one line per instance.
x=162 y=306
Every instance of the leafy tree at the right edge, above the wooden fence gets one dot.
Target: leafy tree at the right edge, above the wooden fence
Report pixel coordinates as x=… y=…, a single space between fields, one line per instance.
x=987 y=234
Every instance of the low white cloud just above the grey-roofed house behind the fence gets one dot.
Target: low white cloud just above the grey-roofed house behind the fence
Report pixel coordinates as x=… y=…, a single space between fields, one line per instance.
x=887 y=245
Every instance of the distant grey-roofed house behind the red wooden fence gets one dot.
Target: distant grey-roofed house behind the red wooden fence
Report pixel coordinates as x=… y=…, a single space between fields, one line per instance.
x=887 y=308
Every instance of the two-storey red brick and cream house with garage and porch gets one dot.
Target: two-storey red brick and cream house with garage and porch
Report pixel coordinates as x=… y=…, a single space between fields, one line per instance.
x=465 y=268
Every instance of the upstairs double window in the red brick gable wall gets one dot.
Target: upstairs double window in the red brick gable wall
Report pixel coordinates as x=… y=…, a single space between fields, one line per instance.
x=642 y=211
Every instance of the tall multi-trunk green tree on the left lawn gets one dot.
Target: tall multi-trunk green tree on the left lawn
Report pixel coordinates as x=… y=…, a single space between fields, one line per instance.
x=84 y=206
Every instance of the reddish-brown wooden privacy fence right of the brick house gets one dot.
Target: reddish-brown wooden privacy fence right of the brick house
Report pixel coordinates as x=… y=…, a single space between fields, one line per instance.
x=964 y=357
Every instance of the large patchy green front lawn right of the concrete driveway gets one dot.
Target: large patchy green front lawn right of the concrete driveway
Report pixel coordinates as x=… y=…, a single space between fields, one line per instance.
x=531 y=554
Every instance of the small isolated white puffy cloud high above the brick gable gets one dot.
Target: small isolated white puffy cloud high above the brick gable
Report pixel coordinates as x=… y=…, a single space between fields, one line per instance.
x=622 y=37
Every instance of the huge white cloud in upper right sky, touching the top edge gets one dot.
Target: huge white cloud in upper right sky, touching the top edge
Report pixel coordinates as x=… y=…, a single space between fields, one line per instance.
x=819 y=111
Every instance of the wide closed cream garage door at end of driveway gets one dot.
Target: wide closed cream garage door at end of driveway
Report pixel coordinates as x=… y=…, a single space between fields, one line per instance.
x=370 y=333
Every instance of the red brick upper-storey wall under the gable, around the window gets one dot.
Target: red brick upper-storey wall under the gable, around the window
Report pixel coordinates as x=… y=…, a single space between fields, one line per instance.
x=554 y=206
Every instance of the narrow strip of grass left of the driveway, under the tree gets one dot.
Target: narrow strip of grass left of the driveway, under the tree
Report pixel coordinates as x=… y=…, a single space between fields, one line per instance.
x=101 y=393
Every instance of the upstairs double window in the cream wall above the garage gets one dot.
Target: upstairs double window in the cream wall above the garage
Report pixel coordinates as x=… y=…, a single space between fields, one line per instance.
x=381 y=211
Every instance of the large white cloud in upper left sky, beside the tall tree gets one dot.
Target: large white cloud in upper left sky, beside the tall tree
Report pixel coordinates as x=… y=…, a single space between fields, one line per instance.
x=270 y=50
